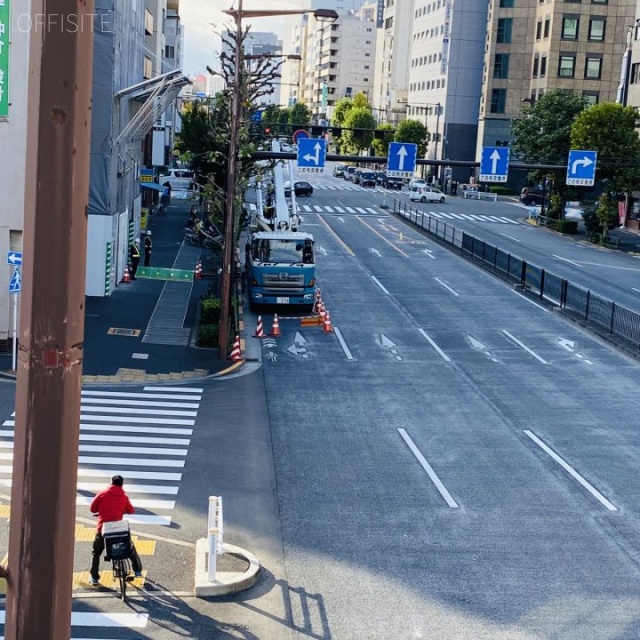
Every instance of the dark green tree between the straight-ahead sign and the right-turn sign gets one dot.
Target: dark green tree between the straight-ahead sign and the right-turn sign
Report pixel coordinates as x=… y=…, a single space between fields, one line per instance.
x=543 y=135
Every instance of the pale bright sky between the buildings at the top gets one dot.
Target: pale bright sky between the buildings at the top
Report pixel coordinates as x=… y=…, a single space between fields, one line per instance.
x=203 y=18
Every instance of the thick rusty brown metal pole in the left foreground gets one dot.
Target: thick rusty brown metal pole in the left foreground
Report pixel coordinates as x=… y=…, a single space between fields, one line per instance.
x=43 y=495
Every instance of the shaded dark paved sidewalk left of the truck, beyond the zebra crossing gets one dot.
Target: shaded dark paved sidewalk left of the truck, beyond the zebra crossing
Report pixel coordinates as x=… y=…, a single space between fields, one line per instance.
x=156 y=318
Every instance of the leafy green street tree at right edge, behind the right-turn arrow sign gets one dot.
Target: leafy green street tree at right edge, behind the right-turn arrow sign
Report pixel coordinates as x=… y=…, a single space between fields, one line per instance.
x=611 y=130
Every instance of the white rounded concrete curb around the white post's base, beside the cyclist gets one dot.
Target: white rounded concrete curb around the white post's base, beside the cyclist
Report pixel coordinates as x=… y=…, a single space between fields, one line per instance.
x=226 y=581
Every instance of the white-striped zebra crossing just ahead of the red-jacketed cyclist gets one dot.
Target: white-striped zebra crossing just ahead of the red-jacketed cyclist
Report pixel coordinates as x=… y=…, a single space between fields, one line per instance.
x=132 y=434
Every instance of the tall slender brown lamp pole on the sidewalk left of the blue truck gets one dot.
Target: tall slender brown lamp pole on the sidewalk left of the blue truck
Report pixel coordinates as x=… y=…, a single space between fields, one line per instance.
x=229 y=213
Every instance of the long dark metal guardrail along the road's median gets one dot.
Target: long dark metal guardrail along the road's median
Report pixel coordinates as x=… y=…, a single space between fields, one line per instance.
x=596 y=310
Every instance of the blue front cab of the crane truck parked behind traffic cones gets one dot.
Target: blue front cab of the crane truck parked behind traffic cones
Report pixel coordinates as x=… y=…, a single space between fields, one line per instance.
x=280 y=269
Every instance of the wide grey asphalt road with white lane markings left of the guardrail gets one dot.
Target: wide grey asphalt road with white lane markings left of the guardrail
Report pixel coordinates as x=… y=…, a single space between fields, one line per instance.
x=454 y=461
